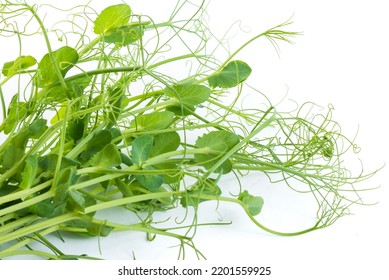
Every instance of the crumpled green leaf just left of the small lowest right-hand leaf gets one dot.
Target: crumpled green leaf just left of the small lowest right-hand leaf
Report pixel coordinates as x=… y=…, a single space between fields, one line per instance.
x=207 y=187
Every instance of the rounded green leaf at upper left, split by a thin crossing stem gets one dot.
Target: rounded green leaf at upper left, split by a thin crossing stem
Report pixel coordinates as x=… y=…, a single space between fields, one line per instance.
x=64 y=58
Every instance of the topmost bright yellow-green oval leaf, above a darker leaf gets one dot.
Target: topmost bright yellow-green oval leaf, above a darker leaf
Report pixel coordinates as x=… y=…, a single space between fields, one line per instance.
x=112 y=17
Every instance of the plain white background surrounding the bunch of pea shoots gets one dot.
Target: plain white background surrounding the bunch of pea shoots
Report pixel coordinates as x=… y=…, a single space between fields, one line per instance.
x=341 y=58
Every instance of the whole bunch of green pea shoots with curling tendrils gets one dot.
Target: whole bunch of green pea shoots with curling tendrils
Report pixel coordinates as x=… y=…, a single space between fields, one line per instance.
x=99 y=122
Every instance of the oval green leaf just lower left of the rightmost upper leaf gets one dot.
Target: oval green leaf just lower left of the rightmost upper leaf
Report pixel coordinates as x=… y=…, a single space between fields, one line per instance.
x=188 y=94
